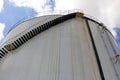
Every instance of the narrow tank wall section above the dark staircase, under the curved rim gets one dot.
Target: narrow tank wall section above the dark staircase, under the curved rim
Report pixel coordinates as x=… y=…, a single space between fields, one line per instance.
x=20 y=28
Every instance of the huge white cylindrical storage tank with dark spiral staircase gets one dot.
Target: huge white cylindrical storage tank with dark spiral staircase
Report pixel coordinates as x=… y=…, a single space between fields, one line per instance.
x=64 y=46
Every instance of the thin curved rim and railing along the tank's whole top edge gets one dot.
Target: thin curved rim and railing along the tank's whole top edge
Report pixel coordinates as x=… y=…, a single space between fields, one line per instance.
x=62 y=13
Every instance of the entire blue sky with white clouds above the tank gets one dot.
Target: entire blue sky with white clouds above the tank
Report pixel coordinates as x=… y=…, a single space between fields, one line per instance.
x=12 y=11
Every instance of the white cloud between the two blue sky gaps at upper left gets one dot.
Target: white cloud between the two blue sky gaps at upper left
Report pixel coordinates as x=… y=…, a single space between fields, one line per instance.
x=38 y=5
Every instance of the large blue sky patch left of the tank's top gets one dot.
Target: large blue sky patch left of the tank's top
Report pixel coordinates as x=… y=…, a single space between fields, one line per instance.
x=11 y=14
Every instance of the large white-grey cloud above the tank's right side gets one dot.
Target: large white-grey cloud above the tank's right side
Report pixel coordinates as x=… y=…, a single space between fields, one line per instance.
x=106 y=11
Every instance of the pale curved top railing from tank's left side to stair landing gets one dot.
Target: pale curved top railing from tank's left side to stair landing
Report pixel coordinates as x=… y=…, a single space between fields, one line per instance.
x=44 y=13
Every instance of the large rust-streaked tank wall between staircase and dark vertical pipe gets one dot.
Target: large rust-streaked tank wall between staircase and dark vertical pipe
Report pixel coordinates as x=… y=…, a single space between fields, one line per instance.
x=63 y=52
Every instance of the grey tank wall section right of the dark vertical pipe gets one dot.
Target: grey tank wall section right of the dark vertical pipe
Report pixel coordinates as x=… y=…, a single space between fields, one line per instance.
x=106 y=51
